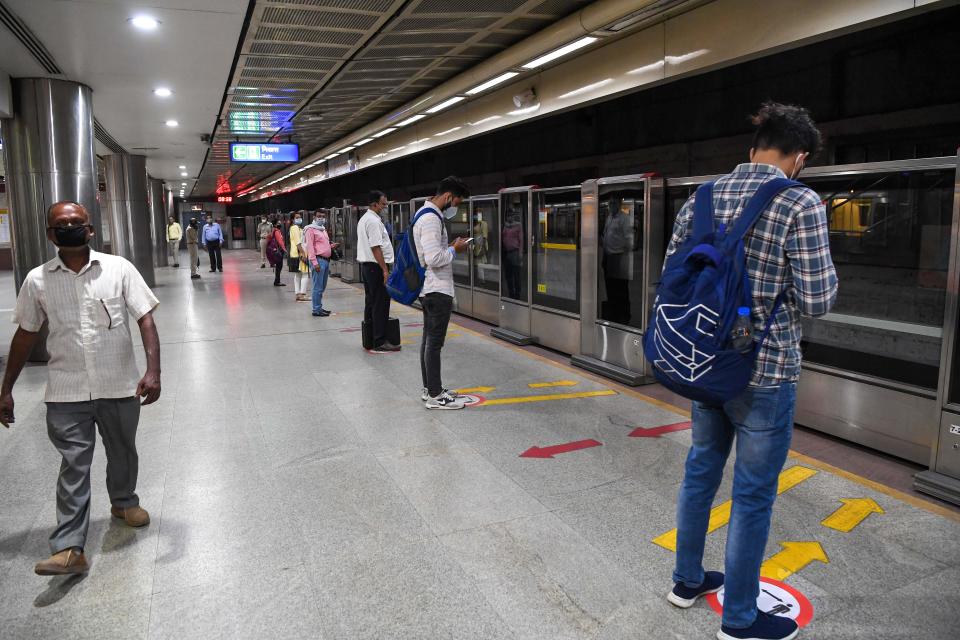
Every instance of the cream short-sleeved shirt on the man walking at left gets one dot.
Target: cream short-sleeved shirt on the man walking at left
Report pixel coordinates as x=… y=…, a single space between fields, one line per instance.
x=91 y=353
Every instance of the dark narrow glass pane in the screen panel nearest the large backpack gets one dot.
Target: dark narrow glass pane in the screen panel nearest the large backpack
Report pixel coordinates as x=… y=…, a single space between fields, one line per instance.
x=620 y=286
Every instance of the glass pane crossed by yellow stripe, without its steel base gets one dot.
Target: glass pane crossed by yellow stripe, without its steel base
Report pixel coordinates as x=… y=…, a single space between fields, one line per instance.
x=556 y=266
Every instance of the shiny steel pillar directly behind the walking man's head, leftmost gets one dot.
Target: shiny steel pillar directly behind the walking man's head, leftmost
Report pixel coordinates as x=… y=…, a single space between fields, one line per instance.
x=48 y=147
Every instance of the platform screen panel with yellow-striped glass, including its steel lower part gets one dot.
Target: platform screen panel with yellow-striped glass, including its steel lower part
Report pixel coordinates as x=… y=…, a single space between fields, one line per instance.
x=555 y=268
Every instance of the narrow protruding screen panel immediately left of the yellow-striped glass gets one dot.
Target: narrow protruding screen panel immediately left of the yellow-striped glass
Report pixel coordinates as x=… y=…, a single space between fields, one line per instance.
x=516 y=205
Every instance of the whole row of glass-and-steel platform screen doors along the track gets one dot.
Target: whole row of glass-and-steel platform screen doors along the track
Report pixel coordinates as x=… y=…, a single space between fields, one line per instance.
x=575 y=269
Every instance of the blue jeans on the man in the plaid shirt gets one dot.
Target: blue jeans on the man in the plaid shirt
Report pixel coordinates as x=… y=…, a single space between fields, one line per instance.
x=761 y=420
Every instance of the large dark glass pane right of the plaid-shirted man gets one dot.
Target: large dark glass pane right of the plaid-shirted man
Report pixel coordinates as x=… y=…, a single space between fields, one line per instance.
x=890 y=241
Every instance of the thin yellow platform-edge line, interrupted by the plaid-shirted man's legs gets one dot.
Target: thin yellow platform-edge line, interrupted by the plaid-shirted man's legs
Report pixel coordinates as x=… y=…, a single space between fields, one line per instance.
x=813 y=462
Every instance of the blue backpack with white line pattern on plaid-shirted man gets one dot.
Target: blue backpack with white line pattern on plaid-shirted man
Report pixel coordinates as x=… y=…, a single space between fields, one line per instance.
x=688 y=339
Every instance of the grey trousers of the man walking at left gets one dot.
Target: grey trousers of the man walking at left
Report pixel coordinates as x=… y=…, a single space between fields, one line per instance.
x=70 y=426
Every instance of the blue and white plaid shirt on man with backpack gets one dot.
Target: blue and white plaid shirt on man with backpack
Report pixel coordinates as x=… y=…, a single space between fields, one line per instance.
x=788 y=249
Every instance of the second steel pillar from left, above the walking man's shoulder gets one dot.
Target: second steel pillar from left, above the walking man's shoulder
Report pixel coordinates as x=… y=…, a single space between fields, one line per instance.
x=130 y=211
